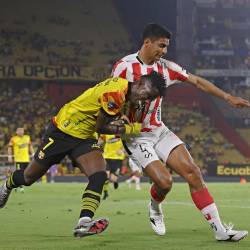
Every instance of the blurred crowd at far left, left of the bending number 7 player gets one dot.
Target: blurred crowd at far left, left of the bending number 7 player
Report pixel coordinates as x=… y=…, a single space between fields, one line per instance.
x=23 y=105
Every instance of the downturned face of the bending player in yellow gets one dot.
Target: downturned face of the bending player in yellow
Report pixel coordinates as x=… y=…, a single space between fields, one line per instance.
x=142 y=90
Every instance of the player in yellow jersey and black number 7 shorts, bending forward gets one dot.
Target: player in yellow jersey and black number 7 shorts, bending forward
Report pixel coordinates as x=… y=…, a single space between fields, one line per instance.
x=72 y=133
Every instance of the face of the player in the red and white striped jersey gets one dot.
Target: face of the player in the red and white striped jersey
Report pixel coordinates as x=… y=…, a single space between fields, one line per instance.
x=157 y=48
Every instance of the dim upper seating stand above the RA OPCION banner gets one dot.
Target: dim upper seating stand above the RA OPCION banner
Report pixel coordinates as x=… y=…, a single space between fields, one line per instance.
x=59 y=33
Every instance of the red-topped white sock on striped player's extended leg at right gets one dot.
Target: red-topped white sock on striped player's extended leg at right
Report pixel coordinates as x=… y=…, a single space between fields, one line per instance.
x=205 y=203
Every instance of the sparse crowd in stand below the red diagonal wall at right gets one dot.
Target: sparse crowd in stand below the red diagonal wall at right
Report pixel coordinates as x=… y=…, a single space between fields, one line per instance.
x=203 y=139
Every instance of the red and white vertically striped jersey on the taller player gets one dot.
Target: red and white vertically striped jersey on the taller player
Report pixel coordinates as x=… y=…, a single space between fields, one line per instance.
x=131 y=68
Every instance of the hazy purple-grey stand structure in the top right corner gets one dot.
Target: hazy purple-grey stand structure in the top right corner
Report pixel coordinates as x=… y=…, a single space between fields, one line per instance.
x=221 y=37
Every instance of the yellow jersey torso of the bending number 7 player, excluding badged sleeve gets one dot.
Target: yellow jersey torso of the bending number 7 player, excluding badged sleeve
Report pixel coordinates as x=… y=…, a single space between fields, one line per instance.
x=78 y=117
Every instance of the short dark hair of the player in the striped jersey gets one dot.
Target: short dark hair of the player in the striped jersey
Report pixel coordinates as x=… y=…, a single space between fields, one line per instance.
x=155 y=31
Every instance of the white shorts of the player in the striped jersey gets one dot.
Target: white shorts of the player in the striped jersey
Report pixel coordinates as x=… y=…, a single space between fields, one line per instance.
x=145 y=149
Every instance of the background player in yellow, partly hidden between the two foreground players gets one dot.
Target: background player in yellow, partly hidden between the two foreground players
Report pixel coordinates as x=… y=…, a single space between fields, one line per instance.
x=114 y=155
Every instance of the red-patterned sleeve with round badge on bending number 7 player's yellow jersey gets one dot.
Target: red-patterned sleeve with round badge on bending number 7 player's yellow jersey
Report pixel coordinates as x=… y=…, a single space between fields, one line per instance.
x=112 y=102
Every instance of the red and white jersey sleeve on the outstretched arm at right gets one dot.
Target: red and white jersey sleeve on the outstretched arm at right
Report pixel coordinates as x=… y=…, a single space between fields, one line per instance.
x=176 y=73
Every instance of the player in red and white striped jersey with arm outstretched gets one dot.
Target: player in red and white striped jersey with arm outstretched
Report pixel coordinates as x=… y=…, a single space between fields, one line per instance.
x=157 y=145
